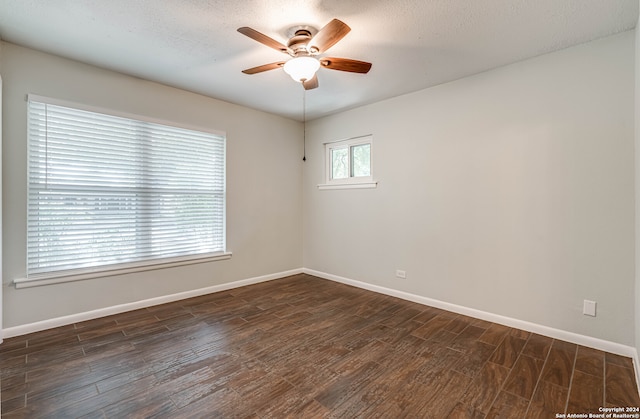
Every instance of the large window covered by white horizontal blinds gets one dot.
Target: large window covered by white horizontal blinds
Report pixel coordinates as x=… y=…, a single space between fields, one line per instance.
x=109 y=192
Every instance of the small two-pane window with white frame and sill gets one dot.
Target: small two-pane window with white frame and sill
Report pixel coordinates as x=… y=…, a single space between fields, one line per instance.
x=348 y=163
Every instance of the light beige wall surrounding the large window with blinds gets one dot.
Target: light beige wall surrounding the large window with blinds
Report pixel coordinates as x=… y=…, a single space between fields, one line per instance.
x=264 y=196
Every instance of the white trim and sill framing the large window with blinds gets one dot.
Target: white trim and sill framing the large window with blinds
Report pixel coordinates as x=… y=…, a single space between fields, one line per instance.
x=136 y=265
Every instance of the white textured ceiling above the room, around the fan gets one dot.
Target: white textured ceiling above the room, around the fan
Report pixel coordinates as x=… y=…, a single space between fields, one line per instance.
x=413 y=44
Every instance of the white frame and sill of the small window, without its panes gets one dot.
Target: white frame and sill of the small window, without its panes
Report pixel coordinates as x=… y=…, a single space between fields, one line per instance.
x=350 y=182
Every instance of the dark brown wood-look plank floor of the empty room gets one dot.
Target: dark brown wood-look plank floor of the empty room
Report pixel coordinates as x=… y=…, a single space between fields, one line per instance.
x=304 y=347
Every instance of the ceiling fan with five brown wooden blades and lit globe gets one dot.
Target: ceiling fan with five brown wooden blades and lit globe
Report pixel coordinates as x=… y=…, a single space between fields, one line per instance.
x=305 y=45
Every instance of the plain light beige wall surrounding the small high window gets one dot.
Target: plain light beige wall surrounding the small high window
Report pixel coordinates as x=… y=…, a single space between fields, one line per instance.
x=510 y=192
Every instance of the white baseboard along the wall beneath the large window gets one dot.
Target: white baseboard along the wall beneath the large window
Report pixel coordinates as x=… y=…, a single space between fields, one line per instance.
x=121 y=308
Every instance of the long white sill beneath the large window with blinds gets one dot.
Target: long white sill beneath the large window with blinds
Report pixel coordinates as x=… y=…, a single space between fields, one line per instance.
x=49 y=279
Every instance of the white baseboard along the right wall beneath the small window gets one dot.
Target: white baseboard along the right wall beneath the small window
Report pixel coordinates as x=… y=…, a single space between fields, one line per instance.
x=551 y=332
